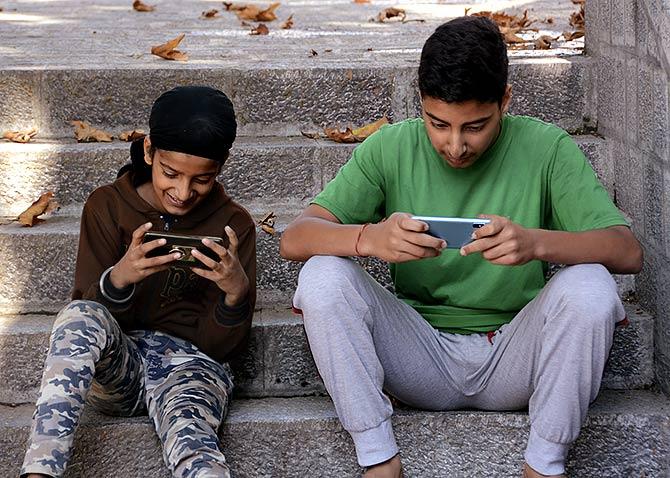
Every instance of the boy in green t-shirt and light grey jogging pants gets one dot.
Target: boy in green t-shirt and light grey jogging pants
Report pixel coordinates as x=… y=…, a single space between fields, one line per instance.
x=476 y=327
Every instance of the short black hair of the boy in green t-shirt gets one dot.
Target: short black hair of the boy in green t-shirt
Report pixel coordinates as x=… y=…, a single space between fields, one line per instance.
x=464 y=59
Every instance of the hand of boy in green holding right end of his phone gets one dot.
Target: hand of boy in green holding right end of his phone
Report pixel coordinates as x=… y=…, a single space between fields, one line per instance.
x=502 y=242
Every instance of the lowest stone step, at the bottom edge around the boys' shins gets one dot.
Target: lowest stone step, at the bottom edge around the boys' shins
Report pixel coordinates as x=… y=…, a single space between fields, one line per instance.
x=626 y=434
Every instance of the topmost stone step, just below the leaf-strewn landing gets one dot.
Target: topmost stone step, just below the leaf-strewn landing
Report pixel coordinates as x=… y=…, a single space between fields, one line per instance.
x=280 y=101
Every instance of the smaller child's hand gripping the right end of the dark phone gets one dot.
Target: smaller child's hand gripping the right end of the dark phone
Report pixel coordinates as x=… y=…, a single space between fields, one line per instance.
x=228 y=273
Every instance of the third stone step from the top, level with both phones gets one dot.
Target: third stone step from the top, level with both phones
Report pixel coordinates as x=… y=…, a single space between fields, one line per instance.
x=38 y=263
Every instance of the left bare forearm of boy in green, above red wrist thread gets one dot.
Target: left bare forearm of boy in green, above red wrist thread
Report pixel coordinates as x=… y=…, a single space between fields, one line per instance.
x=309 y=236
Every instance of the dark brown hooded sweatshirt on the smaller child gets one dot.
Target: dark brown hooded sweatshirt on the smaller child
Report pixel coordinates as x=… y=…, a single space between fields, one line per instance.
x=175 y=301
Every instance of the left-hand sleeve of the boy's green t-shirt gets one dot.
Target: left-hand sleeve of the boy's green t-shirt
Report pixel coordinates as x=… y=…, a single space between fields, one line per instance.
x=356 y=194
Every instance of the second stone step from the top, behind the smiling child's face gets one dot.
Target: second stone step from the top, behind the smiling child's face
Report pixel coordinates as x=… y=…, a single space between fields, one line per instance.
x=268 y=169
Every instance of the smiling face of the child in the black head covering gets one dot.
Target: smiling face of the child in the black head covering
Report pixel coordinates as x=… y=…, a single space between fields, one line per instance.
x=179 y=181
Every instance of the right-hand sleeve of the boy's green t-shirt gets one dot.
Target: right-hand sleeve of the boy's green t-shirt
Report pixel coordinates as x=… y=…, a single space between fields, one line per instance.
x=578 y=202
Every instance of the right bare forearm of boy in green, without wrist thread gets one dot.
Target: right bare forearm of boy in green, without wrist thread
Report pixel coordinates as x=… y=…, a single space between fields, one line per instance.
x=615 y=247
